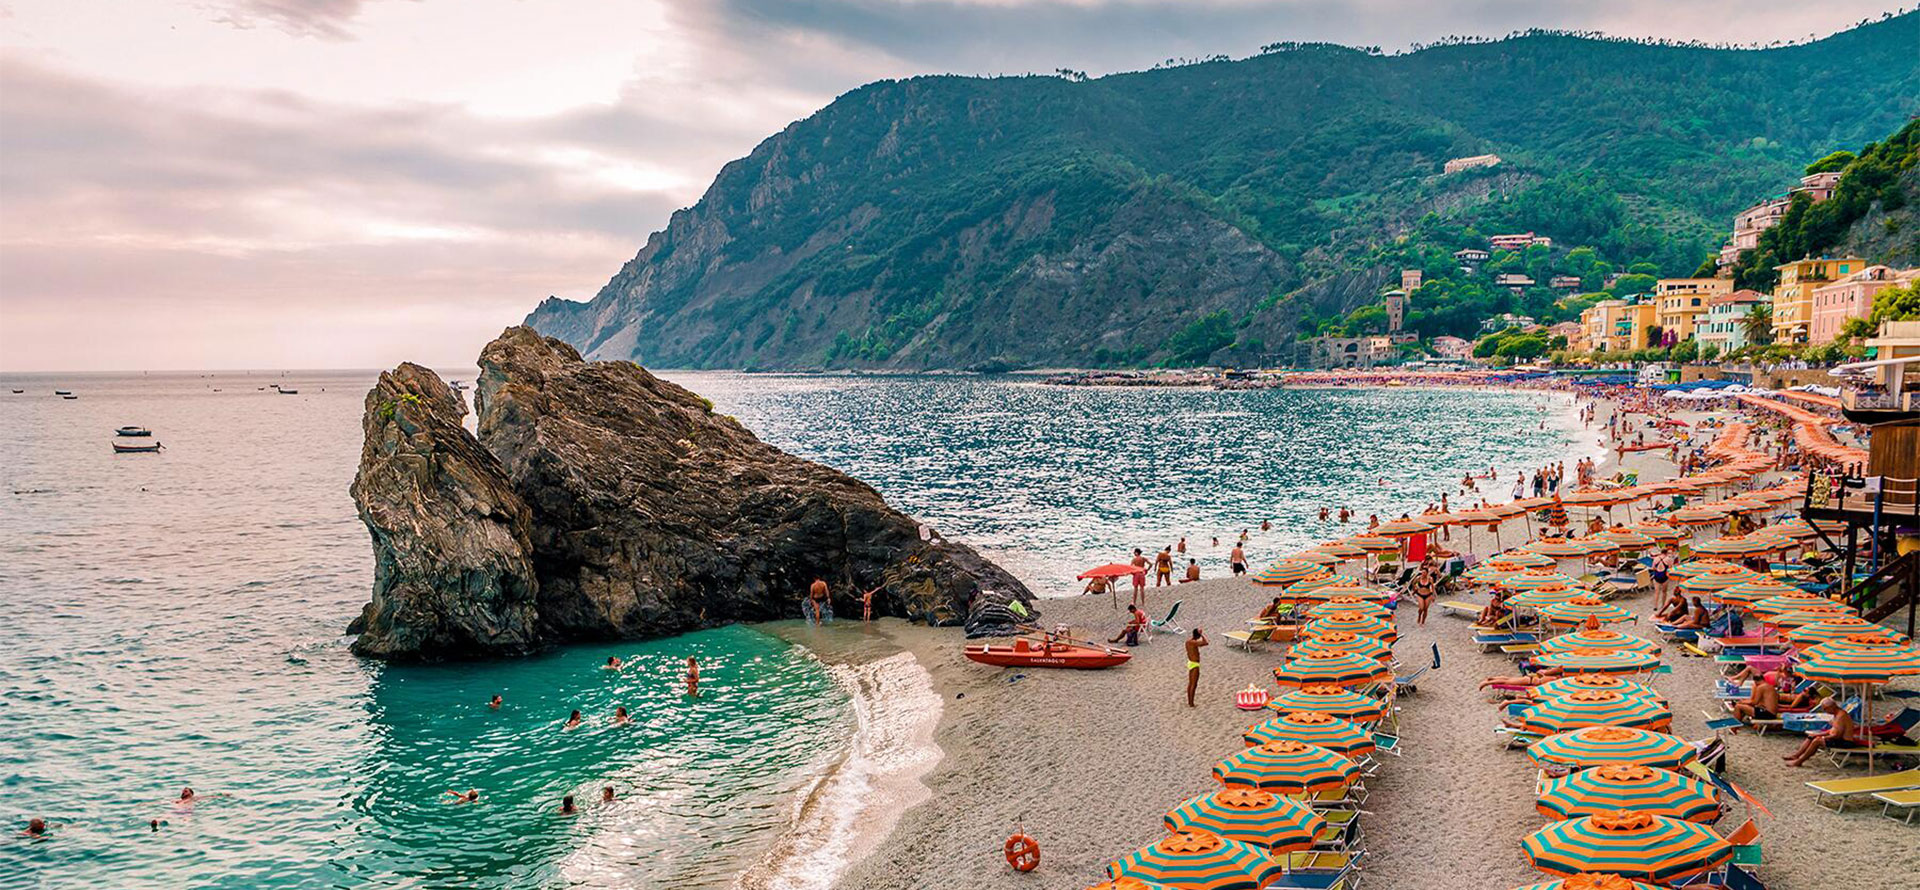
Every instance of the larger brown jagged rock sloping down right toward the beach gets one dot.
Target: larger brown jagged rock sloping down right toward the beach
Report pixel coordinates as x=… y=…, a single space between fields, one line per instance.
x=656 y=515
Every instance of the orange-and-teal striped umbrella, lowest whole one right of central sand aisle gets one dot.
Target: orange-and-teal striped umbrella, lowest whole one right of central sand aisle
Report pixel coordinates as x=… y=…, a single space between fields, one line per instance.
x=1641 y=847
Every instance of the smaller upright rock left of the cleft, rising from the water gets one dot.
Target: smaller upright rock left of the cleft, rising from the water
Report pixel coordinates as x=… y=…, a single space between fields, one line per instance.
x=454 y=559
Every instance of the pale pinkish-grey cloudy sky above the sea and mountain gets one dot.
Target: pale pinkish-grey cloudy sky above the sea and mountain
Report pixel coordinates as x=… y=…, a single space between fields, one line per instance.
x=358 y=183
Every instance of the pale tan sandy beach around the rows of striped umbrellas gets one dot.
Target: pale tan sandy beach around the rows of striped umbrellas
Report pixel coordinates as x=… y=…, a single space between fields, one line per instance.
x=1088 y=762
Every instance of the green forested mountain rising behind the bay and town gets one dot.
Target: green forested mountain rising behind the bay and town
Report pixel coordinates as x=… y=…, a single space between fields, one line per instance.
x=1214 y=212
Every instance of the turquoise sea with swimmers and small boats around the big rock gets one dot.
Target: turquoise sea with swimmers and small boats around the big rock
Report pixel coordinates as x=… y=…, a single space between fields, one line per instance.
x=176 y=621
